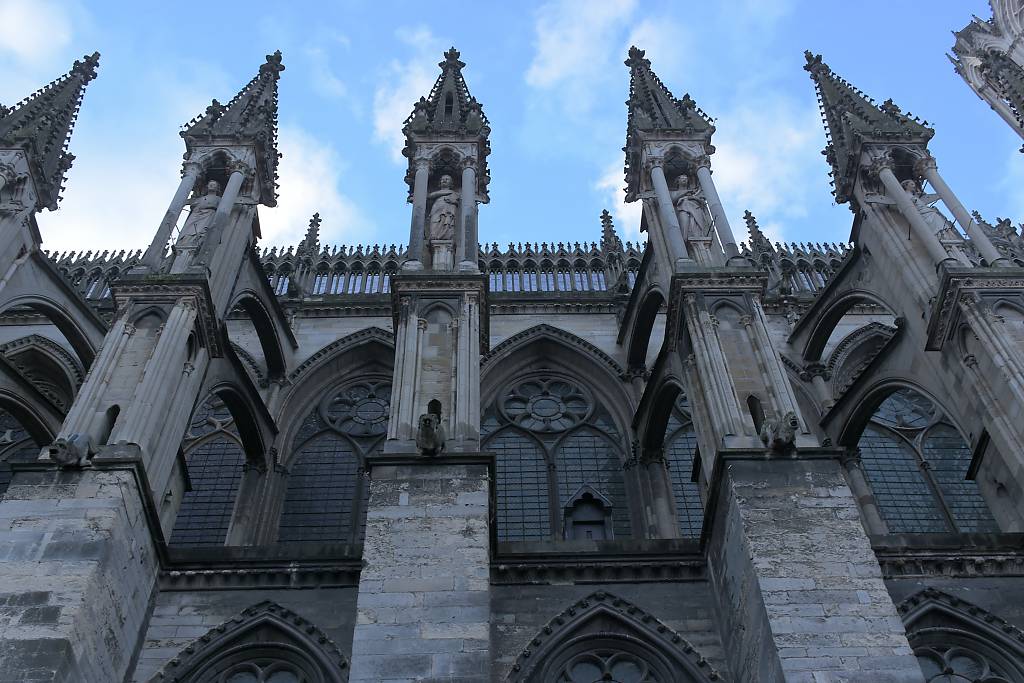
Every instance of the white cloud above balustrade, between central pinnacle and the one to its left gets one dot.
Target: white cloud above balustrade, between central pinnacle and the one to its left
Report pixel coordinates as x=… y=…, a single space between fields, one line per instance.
x=311 y=175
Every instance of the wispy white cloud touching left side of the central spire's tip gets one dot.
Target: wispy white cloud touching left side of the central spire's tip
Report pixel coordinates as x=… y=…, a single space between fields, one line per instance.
x=403 y=86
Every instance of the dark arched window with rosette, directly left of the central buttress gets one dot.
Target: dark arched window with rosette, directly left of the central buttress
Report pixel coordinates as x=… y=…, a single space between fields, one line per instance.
x=324 y=501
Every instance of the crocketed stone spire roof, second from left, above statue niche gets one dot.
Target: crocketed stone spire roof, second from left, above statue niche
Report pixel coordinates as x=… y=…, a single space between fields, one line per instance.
x=250 y=118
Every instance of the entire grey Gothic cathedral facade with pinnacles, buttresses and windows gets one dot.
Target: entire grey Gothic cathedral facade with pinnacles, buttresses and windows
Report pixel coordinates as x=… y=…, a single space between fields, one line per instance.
x=689 y=460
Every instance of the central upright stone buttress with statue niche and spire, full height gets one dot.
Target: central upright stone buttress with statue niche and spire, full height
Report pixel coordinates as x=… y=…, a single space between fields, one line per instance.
x=433 y=485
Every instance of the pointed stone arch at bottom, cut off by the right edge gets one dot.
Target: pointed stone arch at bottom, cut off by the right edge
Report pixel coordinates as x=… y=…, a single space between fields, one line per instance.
x=947 y=631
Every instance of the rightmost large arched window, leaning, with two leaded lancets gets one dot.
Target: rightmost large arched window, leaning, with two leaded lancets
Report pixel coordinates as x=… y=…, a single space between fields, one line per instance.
x=917 y=462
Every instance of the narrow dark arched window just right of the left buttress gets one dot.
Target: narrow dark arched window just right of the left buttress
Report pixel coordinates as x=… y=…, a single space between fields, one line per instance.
x=215 y=459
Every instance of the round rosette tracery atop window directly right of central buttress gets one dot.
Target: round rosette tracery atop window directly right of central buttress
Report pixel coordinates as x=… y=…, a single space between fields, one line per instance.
x=547 y=405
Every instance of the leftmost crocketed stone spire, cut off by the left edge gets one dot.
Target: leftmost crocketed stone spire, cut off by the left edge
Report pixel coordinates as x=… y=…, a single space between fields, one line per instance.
x=42 y=123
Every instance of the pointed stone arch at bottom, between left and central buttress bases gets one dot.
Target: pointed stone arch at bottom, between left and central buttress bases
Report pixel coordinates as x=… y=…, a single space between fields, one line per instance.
x=266 y=635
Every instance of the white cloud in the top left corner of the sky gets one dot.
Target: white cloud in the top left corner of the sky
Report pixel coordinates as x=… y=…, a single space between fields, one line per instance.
x=33 y=30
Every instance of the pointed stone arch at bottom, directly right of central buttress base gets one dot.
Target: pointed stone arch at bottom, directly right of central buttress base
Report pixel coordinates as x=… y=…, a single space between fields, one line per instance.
x=602 y=632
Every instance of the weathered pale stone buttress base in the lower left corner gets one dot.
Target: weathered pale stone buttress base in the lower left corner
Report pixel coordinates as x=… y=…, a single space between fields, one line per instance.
x=77 y=572
